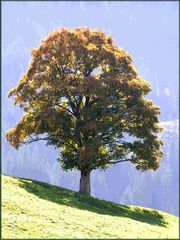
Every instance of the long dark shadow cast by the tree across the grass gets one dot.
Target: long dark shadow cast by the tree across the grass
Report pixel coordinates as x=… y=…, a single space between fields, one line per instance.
x=73 y=199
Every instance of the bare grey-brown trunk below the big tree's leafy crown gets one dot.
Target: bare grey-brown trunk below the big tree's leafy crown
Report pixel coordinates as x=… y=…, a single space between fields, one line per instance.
x=85 y=182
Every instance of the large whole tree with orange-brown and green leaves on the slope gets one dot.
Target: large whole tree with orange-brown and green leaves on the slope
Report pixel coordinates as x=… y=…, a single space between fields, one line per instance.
x=82 y=94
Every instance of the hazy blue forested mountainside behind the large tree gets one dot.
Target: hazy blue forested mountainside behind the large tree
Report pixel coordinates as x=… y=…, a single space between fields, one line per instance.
x=147 y=30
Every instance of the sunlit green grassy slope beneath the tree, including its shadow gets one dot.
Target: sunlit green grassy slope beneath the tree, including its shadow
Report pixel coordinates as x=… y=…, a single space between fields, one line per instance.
x=32 y=209
